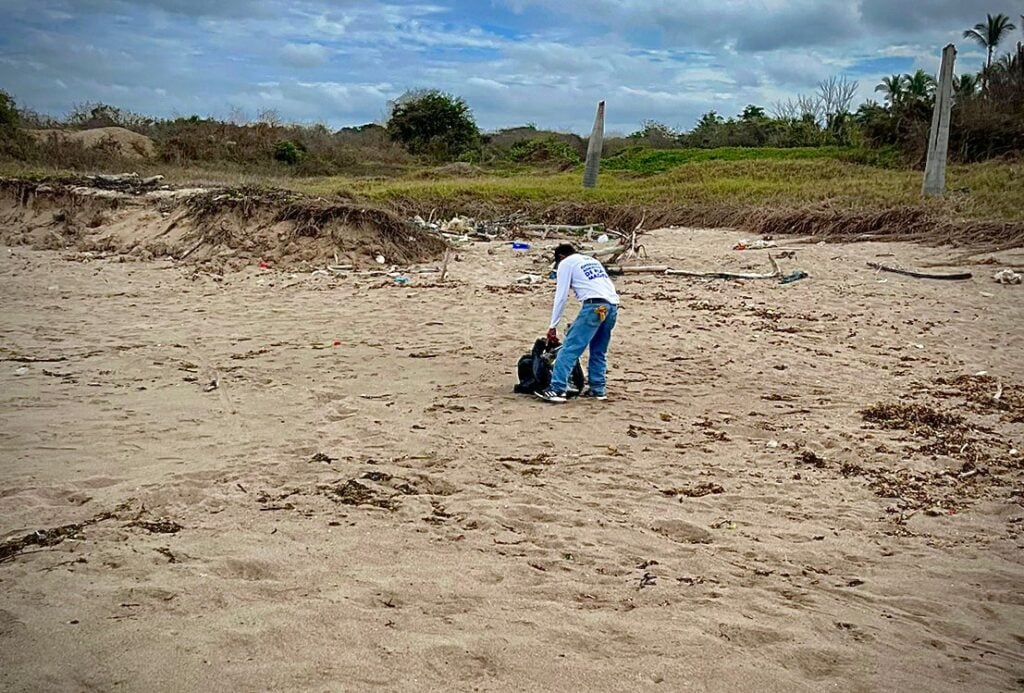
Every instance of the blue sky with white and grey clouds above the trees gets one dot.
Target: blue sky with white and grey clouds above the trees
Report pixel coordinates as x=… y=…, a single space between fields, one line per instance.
x=516 y=62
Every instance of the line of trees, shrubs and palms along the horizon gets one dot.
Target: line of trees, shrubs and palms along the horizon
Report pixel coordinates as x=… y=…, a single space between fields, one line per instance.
x=989 y=121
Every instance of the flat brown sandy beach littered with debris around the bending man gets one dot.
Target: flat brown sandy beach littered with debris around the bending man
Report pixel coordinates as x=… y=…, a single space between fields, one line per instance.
x=281 y=482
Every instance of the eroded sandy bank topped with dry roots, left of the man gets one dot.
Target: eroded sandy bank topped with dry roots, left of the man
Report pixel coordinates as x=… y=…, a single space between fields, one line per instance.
x=218 y=230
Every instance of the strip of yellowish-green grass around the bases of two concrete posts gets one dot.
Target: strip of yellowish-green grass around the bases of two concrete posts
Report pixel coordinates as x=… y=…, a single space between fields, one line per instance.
x=994 y=191
